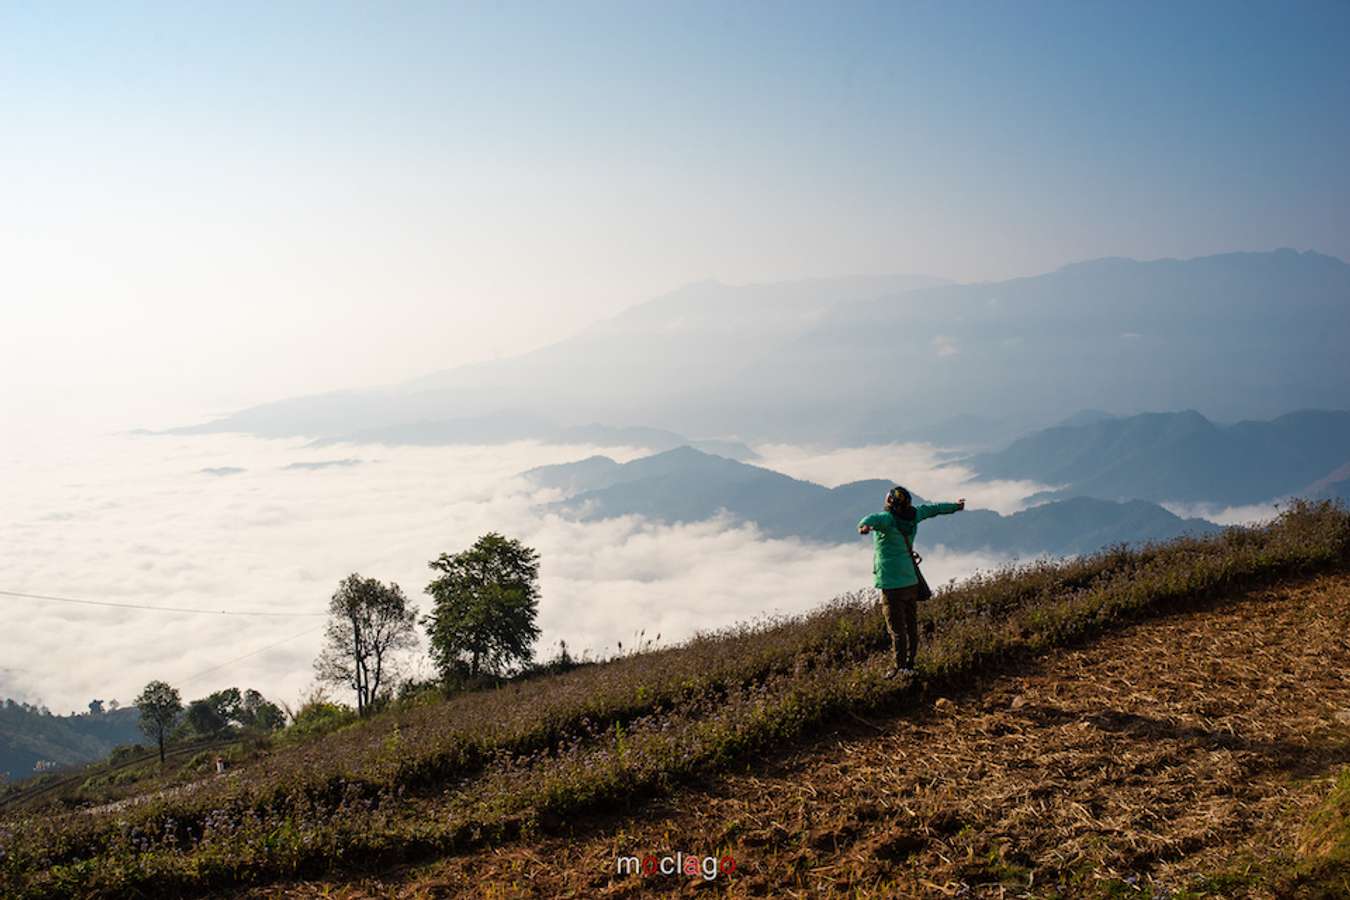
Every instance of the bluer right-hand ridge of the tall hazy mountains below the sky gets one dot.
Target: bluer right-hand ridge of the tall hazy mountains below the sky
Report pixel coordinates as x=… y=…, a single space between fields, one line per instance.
x=1241 y=335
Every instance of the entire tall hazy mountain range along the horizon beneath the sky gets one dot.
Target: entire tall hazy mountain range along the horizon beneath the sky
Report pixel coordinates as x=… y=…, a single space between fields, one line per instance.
x=857 y=361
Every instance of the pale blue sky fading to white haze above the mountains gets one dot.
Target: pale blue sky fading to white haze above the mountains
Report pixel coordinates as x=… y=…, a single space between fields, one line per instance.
x=354 y=194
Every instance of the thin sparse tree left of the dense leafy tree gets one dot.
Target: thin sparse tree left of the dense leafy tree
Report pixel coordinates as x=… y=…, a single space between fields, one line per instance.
x=368 y=625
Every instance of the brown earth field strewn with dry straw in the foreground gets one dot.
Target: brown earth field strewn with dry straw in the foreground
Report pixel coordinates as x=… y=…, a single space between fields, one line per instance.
x=1181 y=756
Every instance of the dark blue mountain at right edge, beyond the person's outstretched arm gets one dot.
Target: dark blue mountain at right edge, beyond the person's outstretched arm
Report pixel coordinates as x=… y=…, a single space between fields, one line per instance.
x=1179 y=458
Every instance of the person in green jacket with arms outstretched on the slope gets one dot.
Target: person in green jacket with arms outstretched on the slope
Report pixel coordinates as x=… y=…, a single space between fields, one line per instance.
x=893 y=565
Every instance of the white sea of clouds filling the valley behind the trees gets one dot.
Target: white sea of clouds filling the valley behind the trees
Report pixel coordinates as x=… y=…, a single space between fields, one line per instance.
x=233 y=523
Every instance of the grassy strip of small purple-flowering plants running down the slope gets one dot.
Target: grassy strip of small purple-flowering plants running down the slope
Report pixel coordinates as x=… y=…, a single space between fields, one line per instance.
x=487 y=768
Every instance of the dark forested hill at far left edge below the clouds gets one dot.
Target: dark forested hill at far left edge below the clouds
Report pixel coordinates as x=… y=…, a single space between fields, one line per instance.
x=32 y=735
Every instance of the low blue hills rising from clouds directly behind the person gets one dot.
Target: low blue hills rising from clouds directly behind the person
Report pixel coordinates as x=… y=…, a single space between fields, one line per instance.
x=686 y=486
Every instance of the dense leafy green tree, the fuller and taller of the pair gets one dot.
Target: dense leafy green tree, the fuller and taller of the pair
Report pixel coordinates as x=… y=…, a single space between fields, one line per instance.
x=485 y=604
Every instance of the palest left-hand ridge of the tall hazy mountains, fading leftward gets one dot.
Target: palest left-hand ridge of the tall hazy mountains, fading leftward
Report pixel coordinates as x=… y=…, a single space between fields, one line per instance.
x=661 y=356
